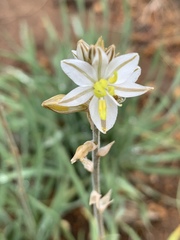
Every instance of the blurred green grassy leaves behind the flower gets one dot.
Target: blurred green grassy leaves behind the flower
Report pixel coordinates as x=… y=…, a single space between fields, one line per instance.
x=51 y=186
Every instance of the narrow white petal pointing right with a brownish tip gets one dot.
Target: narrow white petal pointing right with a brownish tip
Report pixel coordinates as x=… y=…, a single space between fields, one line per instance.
x=130 y=89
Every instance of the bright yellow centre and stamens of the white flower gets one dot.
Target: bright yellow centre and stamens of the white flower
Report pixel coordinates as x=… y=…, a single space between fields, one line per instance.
x=101 y=89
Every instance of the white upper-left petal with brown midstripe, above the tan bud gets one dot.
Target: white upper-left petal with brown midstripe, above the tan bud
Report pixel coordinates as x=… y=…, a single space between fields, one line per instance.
x=82 y=73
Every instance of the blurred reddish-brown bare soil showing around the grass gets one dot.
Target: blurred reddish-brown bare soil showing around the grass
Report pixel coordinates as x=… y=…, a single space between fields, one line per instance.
x=156 y=23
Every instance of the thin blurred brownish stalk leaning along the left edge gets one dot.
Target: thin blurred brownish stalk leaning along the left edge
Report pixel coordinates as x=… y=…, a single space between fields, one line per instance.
x=21 y=190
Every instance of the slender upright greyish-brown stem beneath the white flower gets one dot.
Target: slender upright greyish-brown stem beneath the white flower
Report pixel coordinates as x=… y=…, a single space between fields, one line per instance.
x=96 y=180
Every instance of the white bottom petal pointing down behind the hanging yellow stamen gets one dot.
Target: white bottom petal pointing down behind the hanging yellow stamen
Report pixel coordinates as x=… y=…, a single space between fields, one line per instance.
x=111 y=114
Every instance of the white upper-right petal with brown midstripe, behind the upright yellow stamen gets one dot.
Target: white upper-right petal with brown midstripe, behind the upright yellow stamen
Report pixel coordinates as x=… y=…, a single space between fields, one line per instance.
x=124 y=65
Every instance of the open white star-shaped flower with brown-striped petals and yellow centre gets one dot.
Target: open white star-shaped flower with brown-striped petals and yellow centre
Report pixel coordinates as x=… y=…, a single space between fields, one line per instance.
x=101 y=83
